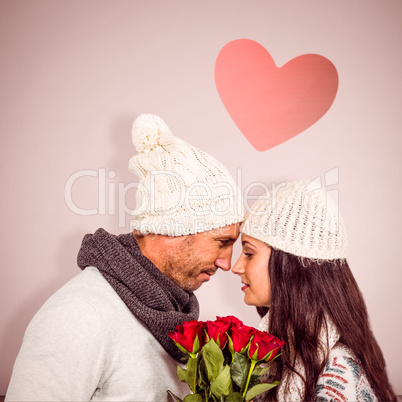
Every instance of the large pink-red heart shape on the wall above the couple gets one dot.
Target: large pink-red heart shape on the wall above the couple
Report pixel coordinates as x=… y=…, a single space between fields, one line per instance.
x=270 y=105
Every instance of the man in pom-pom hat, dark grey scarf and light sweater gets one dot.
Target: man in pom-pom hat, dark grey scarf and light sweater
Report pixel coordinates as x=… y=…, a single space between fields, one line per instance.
x=104 y=335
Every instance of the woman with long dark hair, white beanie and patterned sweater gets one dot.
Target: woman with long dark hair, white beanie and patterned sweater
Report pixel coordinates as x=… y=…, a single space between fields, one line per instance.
x=293 y=265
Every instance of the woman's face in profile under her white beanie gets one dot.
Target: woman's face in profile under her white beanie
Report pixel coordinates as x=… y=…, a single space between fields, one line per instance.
x=252 y=267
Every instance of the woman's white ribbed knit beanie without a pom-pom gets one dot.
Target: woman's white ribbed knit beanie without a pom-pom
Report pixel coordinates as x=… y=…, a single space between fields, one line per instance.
x=298 y=218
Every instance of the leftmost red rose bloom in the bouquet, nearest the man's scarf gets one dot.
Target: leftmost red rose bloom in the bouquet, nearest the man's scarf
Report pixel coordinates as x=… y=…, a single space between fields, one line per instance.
x=189 y=336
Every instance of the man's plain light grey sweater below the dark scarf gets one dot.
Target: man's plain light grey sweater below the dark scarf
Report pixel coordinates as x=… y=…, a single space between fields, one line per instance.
x=84 y=344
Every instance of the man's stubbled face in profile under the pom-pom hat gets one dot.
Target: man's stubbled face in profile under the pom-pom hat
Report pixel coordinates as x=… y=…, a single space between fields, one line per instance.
x=191 y=260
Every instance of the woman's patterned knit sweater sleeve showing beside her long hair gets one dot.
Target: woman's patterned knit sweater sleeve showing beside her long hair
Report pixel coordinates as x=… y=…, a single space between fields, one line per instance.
x=343 y=379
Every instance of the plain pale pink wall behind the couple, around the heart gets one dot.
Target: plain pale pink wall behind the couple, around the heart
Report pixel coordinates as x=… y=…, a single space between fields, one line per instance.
x=75 y=74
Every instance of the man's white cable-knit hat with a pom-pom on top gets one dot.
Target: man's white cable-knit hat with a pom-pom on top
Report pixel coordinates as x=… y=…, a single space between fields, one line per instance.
x=182 y=189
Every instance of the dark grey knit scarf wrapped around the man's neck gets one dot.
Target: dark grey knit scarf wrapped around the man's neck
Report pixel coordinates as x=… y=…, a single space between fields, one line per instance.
x=153 y=298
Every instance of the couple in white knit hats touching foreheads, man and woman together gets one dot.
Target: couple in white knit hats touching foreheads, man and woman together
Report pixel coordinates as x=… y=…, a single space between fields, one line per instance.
x=104 y=335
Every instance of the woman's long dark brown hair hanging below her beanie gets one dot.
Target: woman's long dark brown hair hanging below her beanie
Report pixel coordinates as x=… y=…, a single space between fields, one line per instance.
x=303 y=293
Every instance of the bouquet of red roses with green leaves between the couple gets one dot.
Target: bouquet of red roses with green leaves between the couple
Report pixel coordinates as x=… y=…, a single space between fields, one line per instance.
x=225 y=358
